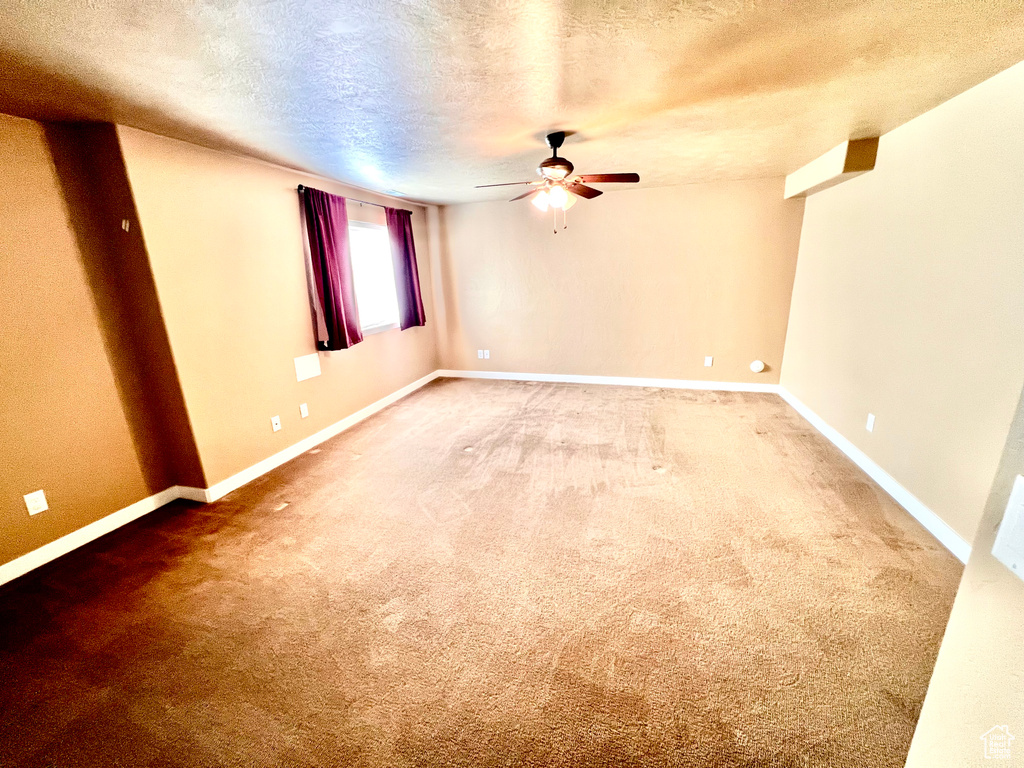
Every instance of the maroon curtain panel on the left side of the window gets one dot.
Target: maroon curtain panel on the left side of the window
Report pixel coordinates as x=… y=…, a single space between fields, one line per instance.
x=333 y=290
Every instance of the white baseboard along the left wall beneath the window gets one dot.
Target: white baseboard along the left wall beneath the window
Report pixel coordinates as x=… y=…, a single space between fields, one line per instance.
x=94 y=531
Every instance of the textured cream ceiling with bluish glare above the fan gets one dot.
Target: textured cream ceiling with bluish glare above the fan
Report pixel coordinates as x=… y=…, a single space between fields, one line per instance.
x=431 y=98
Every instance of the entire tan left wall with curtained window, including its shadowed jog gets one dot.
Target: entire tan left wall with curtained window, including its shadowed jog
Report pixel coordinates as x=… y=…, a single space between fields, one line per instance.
x=110 y=395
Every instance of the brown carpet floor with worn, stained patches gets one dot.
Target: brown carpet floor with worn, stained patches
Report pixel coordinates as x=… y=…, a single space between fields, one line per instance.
x=497 y=574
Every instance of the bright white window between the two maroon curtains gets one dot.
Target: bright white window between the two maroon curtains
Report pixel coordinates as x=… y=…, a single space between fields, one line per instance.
x=373 y=273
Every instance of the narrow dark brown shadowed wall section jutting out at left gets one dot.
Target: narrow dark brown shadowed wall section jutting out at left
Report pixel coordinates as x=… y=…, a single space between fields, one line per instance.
x=88 y=157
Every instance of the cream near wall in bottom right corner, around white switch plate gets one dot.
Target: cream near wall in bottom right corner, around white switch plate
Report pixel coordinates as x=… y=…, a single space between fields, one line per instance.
x=979 y=676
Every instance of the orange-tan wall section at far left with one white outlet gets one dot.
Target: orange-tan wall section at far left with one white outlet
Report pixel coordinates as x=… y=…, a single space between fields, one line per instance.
x=65 y=429
